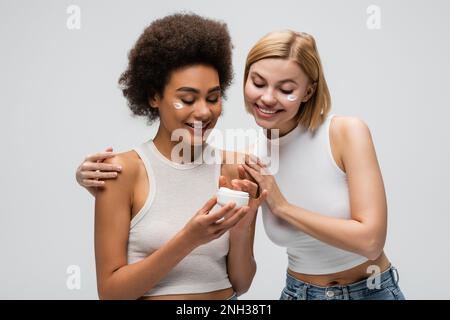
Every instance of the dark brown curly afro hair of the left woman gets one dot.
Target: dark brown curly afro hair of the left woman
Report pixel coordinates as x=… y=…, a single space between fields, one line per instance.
x=170 y=43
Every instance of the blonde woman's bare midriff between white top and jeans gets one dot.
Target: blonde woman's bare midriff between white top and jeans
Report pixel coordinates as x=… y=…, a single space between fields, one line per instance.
x=349 y=276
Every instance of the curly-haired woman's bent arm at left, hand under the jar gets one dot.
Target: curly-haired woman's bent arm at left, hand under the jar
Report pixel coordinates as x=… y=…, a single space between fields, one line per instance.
x=115 y=278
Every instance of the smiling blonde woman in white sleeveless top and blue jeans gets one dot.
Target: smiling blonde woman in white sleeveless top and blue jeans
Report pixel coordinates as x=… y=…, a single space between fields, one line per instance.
x=326 y=203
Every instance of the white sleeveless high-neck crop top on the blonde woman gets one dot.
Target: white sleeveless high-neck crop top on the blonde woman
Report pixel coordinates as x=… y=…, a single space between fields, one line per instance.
x=309 y=177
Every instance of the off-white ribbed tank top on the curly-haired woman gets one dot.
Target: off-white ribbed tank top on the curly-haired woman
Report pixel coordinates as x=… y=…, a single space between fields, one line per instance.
x=177 y=191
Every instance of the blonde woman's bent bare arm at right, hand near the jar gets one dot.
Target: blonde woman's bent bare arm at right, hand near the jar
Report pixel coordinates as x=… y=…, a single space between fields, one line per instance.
x=365 y=232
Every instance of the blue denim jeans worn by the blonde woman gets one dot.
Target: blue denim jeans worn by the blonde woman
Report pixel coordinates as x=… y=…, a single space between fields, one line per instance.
x=385 y=289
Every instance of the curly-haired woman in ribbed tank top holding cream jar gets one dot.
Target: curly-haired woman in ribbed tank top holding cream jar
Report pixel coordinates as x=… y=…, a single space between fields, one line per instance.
x=156 y=235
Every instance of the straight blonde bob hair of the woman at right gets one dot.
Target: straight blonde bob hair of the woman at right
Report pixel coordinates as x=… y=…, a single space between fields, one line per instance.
x=301 y=48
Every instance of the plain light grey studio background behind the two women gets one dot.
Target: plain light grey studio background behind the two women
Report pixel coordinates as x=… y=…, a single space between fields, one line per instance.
x=60 y=101
